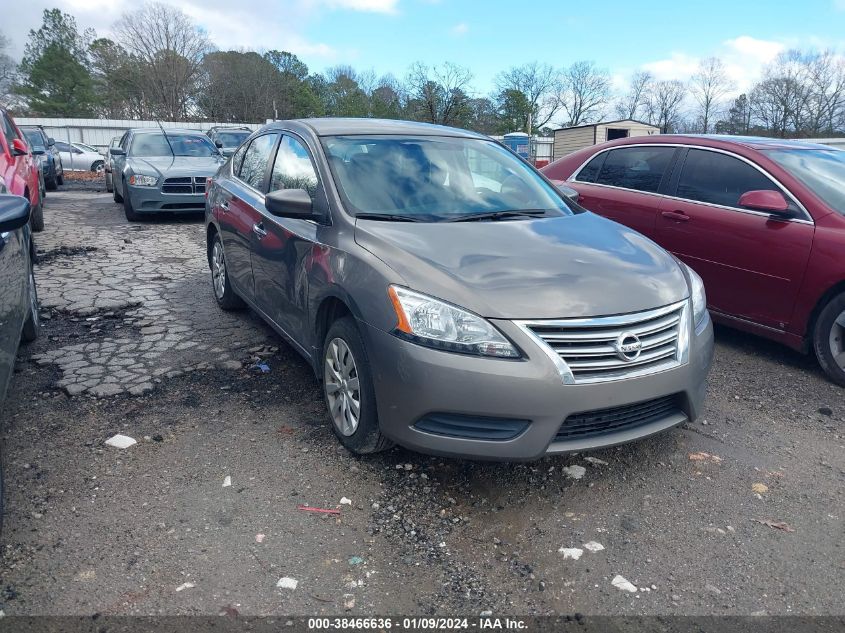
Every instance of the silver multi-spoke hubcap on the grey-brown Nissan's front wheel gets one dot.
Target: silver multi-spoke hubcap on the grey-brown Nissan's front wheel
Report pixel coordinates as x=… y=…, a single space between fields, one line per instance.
x=340 y=377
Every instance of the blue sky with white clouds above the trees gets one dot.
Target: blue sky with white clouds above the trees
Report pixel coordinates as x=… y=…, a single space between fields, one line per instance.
x=488 y=36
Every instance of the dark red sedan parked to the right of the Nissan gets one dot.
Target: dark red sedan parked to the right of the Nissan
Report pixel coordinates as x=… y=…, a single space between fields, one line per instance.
x=761 y=220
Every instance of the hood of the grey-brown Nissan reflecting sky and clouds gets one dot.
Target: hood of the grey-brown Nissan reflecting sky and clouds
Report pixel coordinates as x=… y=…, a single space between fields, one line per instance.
x=545 y=268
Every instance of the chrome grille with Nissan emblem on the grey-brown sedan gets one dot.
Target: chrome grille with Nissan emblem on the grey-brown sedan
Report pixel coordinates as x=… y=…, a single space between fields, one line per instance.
x=594 y=349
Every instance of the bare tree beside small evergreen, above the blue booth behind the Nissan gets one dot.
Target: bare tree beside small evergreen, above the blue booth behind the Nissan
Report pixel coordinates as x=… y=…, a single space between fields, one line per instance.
x=540 y=84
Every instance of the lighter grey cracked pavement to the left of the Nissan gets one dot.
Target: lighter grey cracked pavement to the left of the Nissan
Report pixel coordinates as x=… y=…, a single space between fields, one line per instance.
x=156 y=284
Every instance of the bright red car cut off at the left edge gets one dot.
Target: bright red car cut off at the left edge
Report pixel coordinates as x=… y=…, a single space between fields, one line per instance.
x=19 y=169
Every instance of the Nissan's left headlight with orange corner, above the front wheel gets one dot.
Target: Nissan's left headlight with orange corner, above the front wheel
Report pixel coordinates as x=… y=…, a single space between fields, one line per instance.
x=432 y=322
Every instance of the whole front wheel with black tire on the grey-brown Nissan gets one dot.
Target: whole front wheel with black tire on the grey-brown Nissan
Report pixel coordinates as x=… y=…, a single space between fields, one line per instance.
x=344 y=360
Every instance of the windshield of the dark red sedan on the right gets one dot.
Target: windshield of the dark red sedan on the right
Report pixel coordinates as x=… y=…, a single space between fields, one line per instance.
x=822 y=170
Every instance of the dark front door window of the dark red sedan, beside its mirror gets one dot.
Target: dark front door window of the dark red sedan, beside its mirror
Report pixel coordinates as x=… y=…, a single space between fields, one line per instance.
x=718 y=178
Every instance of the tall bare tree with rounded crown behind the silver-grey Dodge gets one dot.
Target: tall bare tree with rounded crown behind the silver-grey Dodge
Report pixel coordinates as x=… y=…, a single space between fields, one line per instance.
x=170 y=47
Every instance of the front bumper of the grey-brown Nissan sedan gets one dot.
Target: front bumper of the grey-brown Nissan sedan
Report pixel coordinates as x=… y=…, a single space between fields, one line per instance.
x=413 y=383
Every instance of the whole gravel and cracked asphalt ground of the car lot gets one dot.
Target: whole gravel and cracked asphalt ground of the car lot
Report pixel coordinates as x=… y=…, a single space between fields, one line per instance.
x=739 y=513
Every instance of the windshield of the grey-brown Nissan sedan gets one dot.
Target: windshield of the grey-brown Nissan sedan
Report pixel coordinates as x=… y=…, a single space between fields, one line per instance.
x=432 y=178
